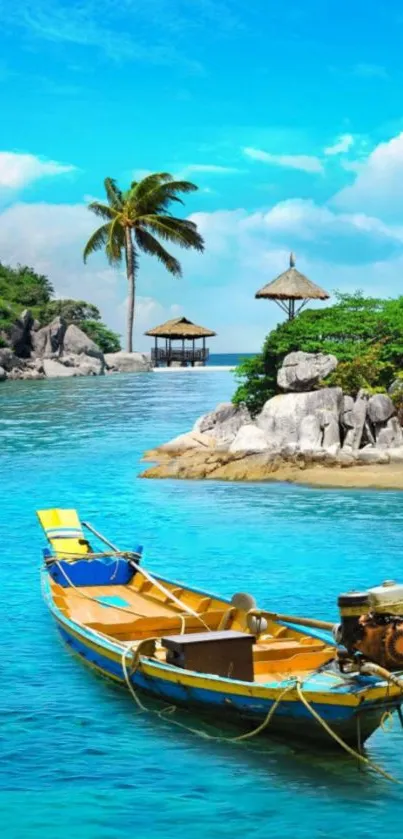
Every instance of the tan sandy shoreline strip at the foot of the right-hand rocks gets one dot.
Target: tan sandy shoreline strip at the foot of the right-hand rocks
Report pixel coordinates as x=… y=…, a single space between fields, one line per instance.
x=252 y=469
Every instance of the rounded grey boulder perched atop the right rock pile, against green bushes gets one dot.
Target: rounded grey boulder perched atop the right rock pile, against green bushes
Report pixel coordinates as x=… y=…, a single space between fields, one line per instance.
x=302 y=371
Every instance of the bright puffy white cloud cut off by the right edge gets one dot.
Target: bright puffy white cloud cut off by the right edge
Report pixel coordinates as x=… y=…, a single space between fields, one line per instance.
x=377 y=186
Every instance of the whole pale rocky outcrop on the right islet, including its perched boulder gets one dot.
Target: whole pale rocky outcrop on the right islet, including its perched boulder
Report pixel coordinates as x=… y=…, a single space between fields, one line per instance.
x=320 y=426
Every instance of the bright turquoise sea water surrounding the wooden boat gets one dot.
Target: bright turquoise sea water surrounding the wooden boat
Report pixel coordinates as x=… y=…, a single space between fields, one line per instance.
x=75 y=757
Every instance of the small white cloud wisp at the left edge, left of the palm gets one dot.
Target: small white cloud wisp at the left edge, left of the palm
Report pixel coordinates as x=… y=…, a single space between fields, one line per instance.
x=20 y=170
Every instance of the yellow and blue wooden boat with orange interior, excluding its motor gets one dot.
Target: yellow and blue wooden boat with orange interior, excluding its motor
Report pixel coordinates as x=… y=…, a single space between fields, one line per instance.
x=192 y=648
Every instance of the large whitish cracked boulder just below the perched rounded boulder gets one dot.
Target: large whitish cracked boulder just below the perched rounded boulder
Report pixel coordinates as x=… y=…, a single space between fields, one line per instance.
x=281 y=417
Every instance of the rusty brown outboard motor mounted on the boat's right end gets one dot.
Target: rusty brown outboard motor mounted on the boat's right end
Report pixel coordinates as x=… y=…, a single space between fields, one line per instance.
x=372 y=624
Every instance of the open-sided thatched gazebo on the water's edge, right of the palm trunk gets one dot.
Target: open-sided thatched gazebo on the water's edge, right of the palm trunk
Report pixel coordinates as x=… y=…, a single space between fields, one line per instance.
x=180 y=329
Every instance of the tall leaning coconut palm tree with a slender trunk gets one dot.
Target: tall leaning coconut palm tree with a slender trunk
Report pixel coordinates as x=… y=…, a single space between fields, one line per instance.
x=131 y=220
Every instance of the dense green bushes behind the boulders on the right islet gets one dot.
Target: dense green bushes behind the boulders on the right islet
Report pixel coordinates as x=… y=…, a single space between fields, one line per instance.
x=364 y=333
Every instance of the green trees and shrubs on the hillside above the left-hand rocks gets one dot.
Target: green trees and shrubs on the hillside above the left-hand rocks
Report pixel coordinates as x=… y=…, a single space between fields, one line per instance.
x=22 y=288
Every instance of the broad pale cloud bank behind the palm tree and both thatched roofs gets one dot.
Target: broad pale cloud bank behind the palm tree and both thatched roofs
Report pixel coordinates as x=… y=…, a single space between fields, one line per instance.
x=341 y=244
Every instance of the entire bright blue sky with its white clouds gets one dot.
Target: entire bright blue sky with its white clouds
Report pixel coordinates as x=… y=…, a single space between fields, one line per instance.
x=289 y=117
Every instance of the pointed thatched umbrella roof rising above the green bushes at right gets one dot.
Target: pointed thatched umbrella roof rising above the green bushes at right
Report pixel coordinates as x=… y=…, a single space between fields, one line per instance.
x=291 y=287
